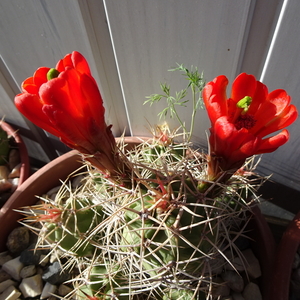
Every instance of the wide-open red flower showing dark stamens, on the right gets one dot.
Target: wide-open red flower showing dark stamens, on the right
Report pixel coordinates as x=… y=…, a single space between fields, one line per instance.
x=240 y=124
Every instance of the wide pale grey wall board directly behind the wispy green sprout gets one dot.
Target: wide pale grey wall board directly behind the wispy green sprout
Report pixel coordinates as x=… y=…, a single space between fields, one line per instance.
x=150 y=37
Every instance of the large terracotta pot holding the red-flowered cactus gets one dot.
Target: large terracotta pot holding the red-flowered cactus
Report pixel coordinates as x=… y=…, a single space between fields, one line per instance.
x=50 y=175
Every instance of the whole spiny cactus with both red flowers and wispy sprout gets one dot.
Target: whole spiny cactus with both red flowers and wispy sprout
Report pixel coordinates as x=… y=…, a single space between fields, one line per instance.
x=152 y=220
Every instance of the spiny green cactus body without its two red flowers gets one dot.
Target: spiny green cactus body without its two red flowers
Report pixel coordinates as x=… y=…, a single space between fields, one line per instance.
x=154 y=240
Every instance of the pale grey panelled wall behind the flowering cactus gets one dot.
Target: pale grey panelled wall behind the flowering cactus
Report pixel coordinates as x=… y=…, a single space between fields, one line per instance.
x=131 y=44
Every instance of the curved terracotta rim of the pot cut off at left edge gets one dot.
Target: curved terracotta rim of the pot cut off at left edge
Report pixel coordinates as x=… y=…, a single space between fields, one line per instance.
x=25 y=166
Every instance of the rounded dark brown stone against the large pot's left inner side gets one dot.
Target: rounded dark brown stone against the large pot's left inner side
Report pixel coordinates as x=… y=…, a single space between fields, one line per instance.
x=18 y=240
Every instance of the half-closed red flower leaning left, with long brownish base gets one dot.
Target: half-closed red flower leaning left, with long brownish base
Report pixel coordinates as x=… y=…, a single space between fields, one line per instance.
x=66 y=102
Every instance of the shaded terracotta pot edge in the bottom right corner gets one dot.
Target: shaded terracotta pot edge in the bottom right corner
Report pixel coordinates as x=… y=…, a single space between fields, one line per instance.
x=284 y=259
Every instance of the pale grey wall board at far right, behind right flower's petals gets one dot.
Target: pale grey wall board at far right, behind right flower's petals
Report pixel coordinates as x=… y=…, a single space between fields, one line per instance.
x=281 y=71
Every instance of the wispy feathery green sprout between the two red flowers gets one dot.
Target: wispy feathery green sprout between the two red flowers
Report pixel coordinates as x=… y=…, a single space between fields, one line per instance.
x=195 y=85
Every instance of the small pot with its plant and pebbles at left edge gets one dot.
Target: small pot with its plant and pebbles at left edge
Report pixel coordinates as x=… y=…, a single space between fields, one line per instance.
x=14 y=161
